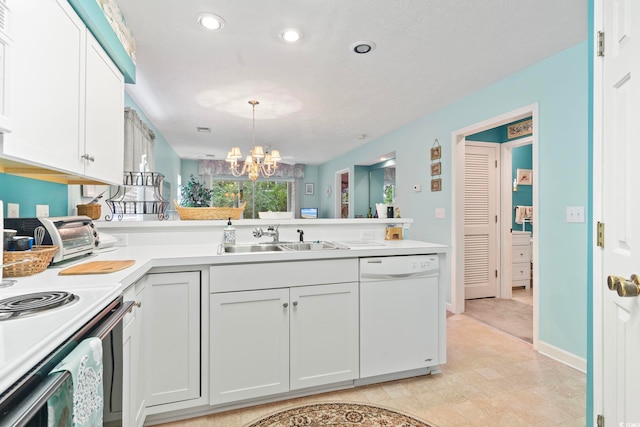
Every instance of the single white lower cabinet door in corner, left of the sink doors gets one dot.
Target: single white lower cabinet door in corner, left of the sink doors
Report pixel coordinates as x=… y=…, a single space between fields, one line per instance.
x=173 y=337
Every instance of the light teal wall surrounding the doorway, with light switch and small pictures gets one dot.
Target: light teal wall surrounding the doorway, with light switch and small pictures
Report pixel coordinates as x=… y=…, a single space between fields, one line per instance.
x=559 y=85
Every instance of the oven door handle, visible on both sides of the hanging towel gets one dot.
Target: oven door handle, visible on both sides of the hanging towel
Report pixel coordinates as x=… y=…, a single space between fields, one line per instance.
x=24 y=412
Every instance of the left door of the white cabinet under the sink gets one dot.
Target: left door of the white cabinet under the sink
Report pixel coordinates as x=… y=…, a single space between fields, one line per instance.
x=249 y=344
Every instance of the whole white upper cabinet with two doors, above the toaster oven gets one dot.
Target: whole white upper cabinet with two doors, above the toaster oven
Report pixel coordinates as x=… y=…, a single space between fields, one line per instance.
x=66 y=98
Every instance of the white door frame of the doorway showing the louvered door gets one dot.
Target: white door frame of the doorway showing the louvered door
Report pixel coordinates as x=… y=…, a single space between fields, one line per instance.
x=457 y=205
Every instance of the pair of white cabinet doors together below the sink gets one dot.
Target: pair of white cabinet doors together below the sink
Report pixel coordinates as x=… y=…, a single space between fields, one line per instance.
x=265 y=342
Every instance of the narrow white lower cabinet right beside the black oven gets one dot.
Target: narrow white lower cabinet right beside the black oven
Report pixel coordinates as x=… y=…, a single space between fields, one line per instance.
x=134 y=358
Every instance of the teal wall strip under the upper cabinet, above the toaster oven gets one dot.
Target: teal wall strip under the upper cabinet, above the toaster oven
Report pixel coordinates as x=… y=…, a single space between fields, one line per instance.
x=31 y=192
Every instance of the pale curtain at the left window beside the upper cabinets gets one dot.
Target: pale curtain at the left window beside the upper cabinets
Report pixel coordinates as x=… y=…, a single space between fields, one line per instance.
x=139 y=141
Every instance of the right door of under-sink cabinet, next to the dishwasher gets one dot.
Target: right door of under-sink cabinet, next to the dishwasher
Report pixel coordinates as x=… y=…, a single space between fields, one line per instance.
x=324 y=334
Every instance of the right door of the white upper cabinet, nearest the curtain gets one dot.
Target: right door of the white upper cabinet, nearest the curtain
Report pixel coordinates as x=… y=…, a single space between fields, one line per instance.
x=103 y=149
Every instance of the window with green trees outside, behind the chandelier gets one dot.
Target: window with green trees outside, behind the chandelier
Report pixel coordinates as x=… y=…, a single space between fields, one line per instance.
x=260 y=196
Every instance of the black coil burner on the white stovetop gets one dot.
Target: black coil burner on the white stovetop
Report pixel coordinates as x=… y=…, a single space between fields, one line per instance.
x=27 y=304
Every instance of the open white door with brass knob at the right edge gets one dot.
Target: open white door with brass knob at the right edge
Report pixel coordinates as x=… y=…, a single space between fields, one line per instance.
x=619 y=374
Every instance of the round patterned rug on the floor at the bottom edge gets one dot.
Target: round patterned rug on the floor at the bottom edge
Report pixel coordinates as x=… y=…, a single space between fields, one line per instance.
x=338 y=415
